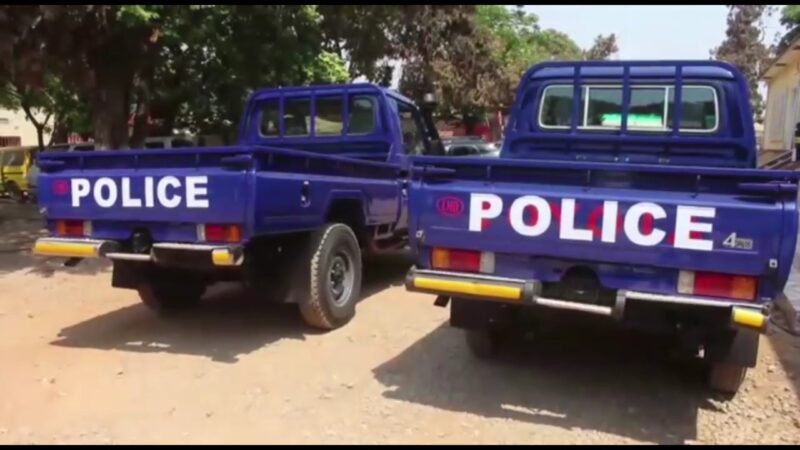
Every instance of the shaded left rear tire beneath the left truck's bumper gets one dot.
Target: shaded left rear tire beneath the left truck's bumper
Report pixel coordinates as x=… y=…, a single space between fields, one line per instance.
x=165 y=292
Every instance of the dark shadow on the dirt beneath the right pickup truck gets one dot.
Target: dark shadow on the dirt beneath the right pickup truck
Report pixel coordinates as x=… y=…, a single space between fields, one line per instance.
x=602 y=379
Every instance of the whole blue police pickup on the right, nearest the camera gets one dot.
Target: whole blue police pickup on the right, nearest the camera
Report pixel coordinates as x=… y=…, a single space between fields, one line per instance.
x=623 y=189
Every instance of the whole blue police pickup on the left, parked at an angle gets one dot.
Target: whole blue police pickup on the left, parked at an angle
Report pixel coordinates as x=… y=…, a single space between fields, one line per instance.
x=317 y=179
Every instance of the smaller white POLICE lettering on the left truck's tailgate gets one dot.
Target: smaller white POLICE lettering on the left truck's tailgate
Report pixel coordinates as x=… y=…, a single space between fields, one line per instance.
x=166 y=192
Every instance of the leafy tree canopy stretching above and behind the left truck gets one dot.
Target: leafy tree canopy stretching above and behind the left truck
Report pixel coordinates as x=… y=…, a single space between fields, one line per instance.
x=94 y=68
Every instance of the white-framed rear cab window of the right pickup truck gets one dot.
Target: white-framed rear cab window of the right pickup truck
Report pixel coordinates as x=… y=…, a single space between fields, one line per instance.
x=650 y=108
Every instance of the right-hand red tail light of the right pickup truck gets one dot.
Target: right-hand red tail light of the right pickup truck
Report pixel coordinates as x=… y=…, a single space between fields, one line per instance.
x=710 y=284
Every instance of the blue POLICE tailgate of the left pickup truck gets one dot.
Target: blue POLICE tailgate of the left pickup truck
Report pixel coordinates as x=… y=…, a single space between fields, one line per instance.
x=120 y=190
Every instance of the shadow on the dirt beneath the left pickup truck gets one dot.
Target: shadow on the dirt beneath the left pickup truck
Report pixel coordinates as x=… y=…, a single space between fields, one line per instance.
x=226 y=326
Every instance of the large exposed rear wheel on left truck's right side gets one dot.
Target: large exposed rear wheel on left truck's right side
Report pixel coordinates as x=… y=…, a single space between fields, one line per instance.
x=327 y=281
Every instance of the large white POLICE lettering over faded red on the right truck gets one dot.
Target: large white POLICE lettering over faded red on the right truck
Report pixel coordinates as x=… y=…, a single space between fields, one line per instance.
x=643 y=224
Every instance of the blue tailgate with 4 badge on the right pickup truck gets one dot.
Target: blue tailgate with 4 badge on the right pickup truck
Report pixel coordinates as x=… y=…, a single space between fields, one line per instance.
x=541 y=218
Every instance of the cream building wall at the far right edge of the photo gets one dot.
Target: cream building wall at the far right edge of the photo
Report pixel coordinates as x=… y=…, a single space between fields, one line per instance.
x=783 y=108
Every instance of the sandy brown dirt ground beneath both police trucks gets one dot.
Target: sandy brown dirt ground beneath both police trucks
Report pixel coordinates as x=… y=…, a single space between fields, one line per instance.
x=85 y=363
